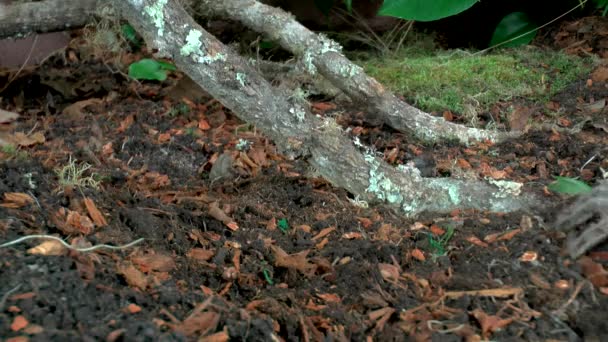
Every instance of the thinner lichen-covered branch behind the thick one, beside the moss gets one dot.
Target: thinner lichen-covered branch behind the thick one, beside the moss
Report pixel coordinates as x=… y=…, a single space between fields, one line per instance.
x=323 y=56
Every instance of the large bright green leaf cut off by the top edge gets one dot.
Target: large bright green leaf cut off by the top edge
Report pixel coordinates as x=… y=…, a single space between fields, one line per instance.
x=424 y=10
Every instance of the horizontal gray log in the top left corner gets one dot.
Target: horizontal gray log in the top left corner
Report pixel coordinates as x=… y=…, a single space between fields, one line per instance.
x=20 y=19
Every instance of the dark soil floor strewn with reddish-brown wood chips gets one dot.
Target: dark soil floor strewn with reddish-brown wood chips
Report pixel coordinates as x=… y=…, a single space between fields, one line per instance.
x=266 y=253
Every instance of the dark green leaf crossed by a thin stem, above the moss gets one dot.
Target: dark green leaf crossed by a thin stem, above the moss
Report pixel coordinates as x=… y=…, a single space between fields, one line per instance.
x=511 y=26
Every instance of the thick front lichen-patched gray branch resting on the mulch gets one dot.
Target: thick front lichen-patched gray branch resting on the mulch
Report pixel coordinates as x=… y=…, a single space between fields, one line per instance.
x=233 y=81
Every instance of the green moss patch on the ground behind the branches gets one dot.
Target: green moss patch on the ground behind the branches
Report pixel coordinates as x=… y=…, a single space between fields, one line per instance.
x=467 y=83
